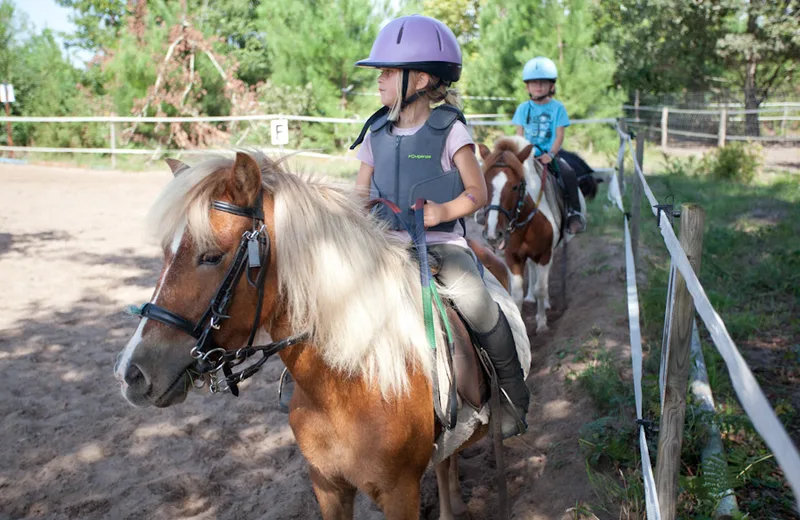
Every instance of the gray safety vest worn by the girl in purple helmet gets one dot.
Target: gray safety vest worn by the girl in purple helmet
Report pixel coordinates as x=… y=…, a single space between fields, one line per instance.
x=419 y=158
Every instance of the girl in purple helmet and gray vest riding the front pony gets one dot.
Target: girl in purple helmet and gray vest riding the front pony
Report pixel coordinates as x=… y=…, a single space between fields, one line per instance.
x=411 y=149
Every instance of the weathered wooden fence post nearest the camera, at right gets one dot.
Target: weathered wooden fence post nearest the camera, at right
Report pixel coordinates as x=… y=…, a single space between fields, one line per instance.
x=670 y=438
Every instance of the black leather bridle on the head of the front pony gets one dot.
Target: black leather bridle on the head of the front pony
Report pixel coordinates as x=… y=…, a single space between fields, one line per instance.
x=252 y=252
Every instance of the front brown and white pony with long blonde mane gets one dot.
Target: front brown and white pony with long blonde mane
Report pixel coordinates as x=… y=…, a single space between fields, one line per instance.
x=362 y=409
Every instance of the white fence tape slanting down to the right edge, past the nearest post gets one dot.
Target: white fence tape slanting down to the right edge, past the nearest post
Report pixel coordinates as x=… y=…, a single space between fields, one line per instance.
x=750 y=395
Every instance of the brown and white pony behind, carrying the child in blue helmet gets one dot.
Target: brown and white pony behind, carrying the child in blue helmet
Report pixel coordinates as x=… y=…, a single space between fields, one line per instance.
x=523 y=220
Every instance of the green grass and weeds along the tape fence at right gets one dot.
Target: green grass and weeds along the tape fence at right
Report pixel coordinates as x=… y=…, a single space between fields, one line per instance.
x=751 y=272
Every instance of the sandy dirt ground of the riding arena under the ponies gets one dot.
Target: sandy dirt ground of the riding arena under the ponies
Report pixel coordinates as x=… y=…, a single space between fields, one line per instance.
x=72 y=256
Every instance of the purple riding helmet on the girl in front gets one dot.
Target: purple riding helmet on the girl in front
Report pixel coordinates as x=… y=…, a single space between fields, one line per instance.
x=417 y=42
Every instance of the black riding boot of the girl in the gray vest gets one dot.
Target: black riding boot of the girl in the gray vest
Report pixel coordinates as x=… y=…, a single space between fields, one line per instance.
x=499 y=345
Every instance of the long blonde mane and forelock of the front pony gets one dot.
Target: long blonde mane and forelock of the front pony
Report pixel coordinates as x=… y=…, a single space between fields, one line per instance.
x=339 y=276
